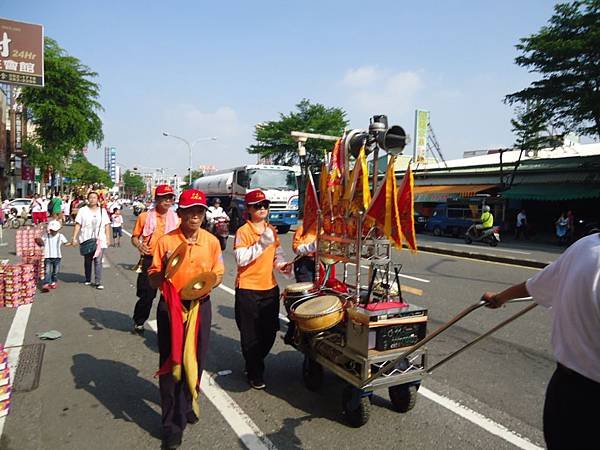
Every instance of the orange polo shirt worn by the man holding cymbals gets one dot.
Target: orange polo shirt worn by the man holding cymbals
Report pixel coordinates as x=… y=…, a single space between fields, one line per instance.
x=204 y=255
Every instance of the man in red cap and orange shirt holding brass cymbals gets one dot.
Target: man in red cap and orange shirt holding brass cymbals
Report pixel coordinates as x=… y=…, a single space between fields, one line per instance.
x=183 y=324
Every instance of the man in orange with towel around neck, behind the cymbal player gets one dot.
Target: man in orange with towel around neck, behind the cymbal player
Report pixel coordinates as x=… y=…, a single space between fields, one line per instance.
x=150 y=226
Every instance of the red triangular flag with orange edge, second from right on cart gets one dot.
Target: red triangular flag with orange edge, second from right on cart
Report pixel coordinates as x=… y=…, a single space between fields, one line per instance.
x=384 y=207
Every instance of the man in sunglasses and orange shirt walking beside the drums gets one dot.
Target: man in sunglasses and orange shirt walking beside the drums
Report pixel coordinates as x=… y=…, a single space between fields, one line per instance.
x=257 y=253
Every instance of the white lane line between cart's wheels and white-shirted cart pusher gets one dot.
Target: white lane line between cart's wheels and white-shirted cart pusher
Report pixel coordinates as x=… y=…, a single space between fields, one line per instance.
x=480 y=420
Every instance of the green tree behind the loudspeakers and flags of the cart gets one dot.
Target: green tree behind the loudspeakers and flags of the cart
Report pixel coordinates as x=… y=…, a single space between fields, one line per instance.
x=274 y=141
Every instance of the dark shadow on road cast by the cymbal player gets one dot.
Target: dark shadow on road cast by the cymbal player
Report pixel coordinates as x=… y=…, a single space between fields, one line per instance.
x=119 y=388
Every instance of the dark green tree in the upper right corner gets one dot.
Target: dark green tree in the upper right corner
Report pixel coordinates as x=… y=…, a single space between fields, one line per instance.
x=565 y=53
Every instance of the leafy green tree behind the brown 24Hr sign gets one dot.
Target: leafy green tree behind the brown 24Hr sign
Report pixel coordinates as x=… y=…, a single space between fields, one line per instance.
x=64 y=111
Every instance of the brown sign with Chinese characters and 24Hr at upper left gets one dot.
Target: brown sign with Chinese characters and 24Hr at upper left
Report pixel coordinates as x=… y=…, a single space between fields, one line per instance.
x=21 y=53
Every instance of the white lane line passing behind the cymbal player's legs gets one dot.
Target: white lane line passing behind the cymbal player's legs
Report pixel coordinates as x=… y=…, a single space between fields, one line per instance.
x=247 y=431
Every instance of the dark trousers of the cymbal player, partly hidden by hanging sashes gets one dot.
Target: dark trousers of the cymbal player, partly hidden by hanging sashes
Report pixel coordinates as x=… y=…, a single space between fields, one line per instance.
x=175 y=397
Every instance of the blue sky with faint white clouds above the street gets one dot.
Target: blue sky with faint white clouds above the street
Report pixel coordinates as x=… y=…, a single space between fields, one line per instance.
x=200 y=69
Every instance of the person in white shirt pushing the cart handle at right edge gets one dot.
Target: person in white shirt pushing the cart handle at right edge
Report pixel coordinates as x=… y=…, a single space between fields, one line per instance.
x=570 y=287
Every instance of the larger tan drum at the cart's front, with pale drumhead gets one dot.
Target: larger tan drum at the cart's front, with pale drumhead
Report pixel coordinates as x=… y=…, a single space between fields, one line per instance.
x=318 y=314
